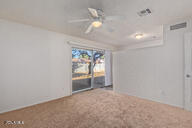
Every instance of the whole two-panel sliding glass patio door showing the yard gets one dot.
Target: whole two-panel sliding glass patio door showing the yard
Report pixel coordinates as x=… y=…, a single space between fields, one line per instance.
x=88 y=69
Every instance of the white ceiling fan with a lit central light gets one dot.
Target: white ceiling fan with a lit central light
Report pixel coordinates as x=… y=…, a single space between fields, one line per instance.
x=97 y=20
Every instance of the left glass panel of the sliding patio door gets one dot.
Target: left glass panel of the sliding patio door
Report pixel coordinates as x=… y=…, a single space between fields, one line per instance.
x=81 y=69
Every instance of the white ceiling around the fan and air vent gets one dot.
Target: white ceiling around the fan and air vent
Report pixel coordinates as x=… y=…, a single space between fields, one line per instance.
x=54 y=14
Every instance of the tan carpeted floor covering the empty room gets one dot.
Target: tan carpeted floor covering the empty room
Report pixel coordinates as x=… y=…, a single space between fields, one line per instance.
x=99 y=109
